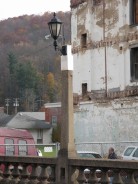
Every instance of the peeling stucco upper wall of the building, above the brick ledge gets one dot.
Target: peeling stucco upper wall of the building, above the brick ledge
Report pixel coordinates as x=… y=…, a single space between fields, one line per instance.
x=105 y=62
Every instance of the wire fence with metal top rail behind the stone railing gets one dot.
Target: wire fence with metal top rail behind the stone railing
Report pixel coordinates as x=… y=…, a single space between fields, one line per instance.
x=51 y=150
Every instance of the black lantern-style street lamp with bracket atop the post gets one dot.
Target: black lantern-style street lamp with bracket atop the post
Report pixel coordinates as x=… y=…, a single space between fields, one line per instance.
x=55 y=26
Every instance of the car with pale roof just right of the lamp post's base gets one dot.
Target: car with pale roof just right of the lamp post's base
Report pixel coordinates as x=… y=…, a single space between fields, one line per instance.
x=88 y=154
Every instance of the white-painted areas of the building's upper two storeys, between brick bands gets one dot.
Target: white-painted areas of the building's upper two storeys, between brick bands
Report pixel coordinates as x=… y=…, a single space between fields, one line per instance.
x=89 y=65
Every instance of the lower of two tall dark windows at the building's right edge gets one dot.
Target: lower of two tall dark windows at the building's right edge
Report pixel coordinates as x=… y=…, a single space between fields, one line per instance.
x=134 y=63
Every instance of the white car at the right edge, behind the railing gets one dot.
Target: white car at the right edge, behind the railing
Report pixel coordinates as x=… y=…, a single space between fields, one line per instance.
x=130 y=153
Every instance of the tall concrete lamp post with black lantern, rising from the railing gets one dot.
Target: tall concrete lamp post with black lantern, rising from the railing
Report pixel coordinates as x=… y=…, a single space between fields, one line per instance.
x=67 y=145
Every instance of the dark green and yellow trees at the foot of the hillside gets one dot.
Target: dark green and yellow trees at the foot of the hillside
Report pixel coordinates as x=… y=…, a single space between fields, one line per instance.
x=29 y=85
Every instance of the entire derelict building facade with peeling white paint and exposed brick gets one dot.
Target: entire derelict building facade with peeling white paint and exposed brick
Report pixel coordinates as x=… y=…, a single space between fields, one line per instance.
x=105 y=78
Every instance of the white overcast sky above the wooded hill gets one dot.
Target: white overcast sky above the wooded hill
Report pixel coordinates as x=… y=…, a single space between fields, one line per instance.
x=15 y=8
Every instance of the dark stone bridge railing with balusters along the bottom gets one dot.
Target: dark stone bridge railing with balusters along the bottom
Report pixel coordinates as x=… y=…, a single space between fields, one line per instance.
x=43 y=170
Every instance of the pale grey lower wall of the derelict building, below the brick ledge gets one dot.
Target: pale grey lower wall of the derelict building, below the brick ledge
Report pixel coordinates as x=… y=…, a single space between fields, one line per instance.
x=106 y=121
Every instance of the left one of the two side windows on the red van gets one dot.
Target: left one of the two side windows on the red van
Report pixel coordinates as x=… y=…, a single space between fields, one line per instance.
x=10 y=147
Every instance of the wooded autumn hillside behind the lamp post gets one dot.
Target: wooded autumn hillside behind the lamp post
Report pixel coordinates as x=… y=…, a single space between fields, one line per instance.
x=30 y=67
